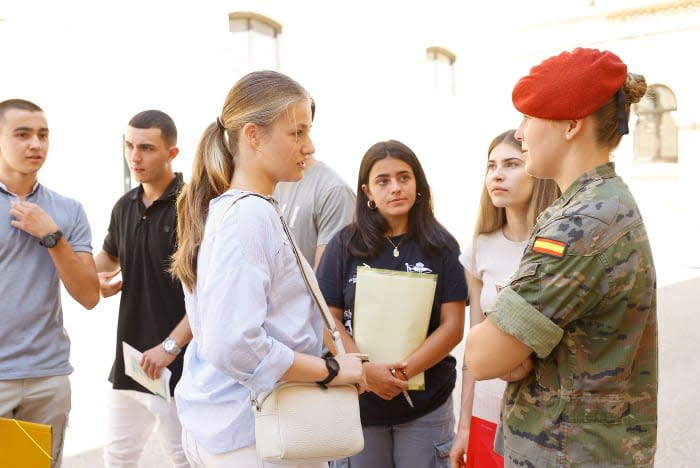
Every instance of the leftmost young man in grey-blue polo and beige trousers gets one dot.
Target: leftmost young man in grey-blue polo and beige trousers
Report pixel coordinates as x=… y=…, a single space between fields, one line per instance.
x=45 y=240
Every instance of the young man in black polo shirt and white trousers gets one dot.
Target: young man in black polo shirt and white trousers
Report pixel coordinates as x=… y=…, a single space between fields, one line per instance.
x=139 y=243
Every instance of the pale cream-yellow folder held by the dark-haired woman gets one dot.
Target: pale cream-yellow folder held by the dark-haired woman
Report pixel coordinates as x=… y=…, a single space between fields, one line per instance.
x=391 y=315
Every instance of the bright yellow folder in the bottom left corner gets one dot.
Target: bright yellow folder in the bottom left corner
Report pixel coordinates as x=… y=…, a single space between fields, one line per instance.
x=24 y=444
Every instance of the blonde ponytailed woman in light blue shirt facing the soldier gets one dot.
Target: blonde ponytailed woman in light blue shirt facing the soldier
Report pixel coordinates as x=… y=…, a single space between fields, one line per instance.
x=253 y=321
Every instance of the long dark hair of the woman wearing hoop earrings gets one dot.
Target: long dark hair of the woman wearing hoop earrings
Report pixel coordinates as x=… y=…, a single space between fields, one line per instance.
x=366 y=234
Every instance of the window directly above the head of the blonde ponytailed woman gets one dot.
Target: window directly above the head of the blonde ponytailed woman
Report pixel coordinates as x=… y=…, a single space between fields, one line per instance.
x=255 y=41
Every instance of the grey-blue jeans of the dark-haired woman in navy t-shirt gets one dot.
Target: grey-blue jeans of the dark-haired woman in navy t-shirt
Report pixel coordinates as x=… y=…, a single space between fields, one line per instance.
x=422 y=443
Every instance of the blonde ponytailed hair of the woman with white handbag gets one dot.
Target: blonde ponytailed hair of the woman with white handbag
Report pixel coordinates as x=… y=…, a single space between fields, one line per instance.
x=261 y=98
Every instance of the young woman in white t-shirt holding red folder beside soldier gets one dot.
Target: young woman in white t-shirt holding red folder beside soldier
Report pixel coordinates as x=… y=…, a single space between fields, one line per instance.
x=510 y=202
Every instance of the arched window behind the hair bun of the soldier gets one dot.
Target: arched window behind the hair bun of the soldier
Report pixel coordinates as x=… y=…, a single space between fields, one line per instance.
x=656 y=133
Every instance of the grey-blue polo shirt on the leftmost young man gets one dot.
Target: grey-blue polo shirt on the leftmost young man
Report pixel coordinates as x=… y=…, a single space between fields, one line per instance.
x=33 y=342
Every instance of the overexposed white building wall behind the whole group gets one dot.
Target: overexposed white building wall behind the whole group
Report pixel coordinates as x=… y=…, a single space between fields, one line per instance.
x=92 y=68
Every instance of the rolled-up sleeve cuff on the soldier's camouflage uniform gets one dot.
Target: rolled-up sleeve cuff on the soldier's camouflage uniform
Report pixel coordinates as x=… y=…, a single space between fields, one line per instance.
x=515 y=316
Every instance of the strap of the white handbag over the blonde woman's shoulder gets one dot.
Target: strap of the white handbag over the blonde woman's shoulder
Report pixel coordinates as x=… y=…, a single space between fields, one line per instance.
x=335 y=345
